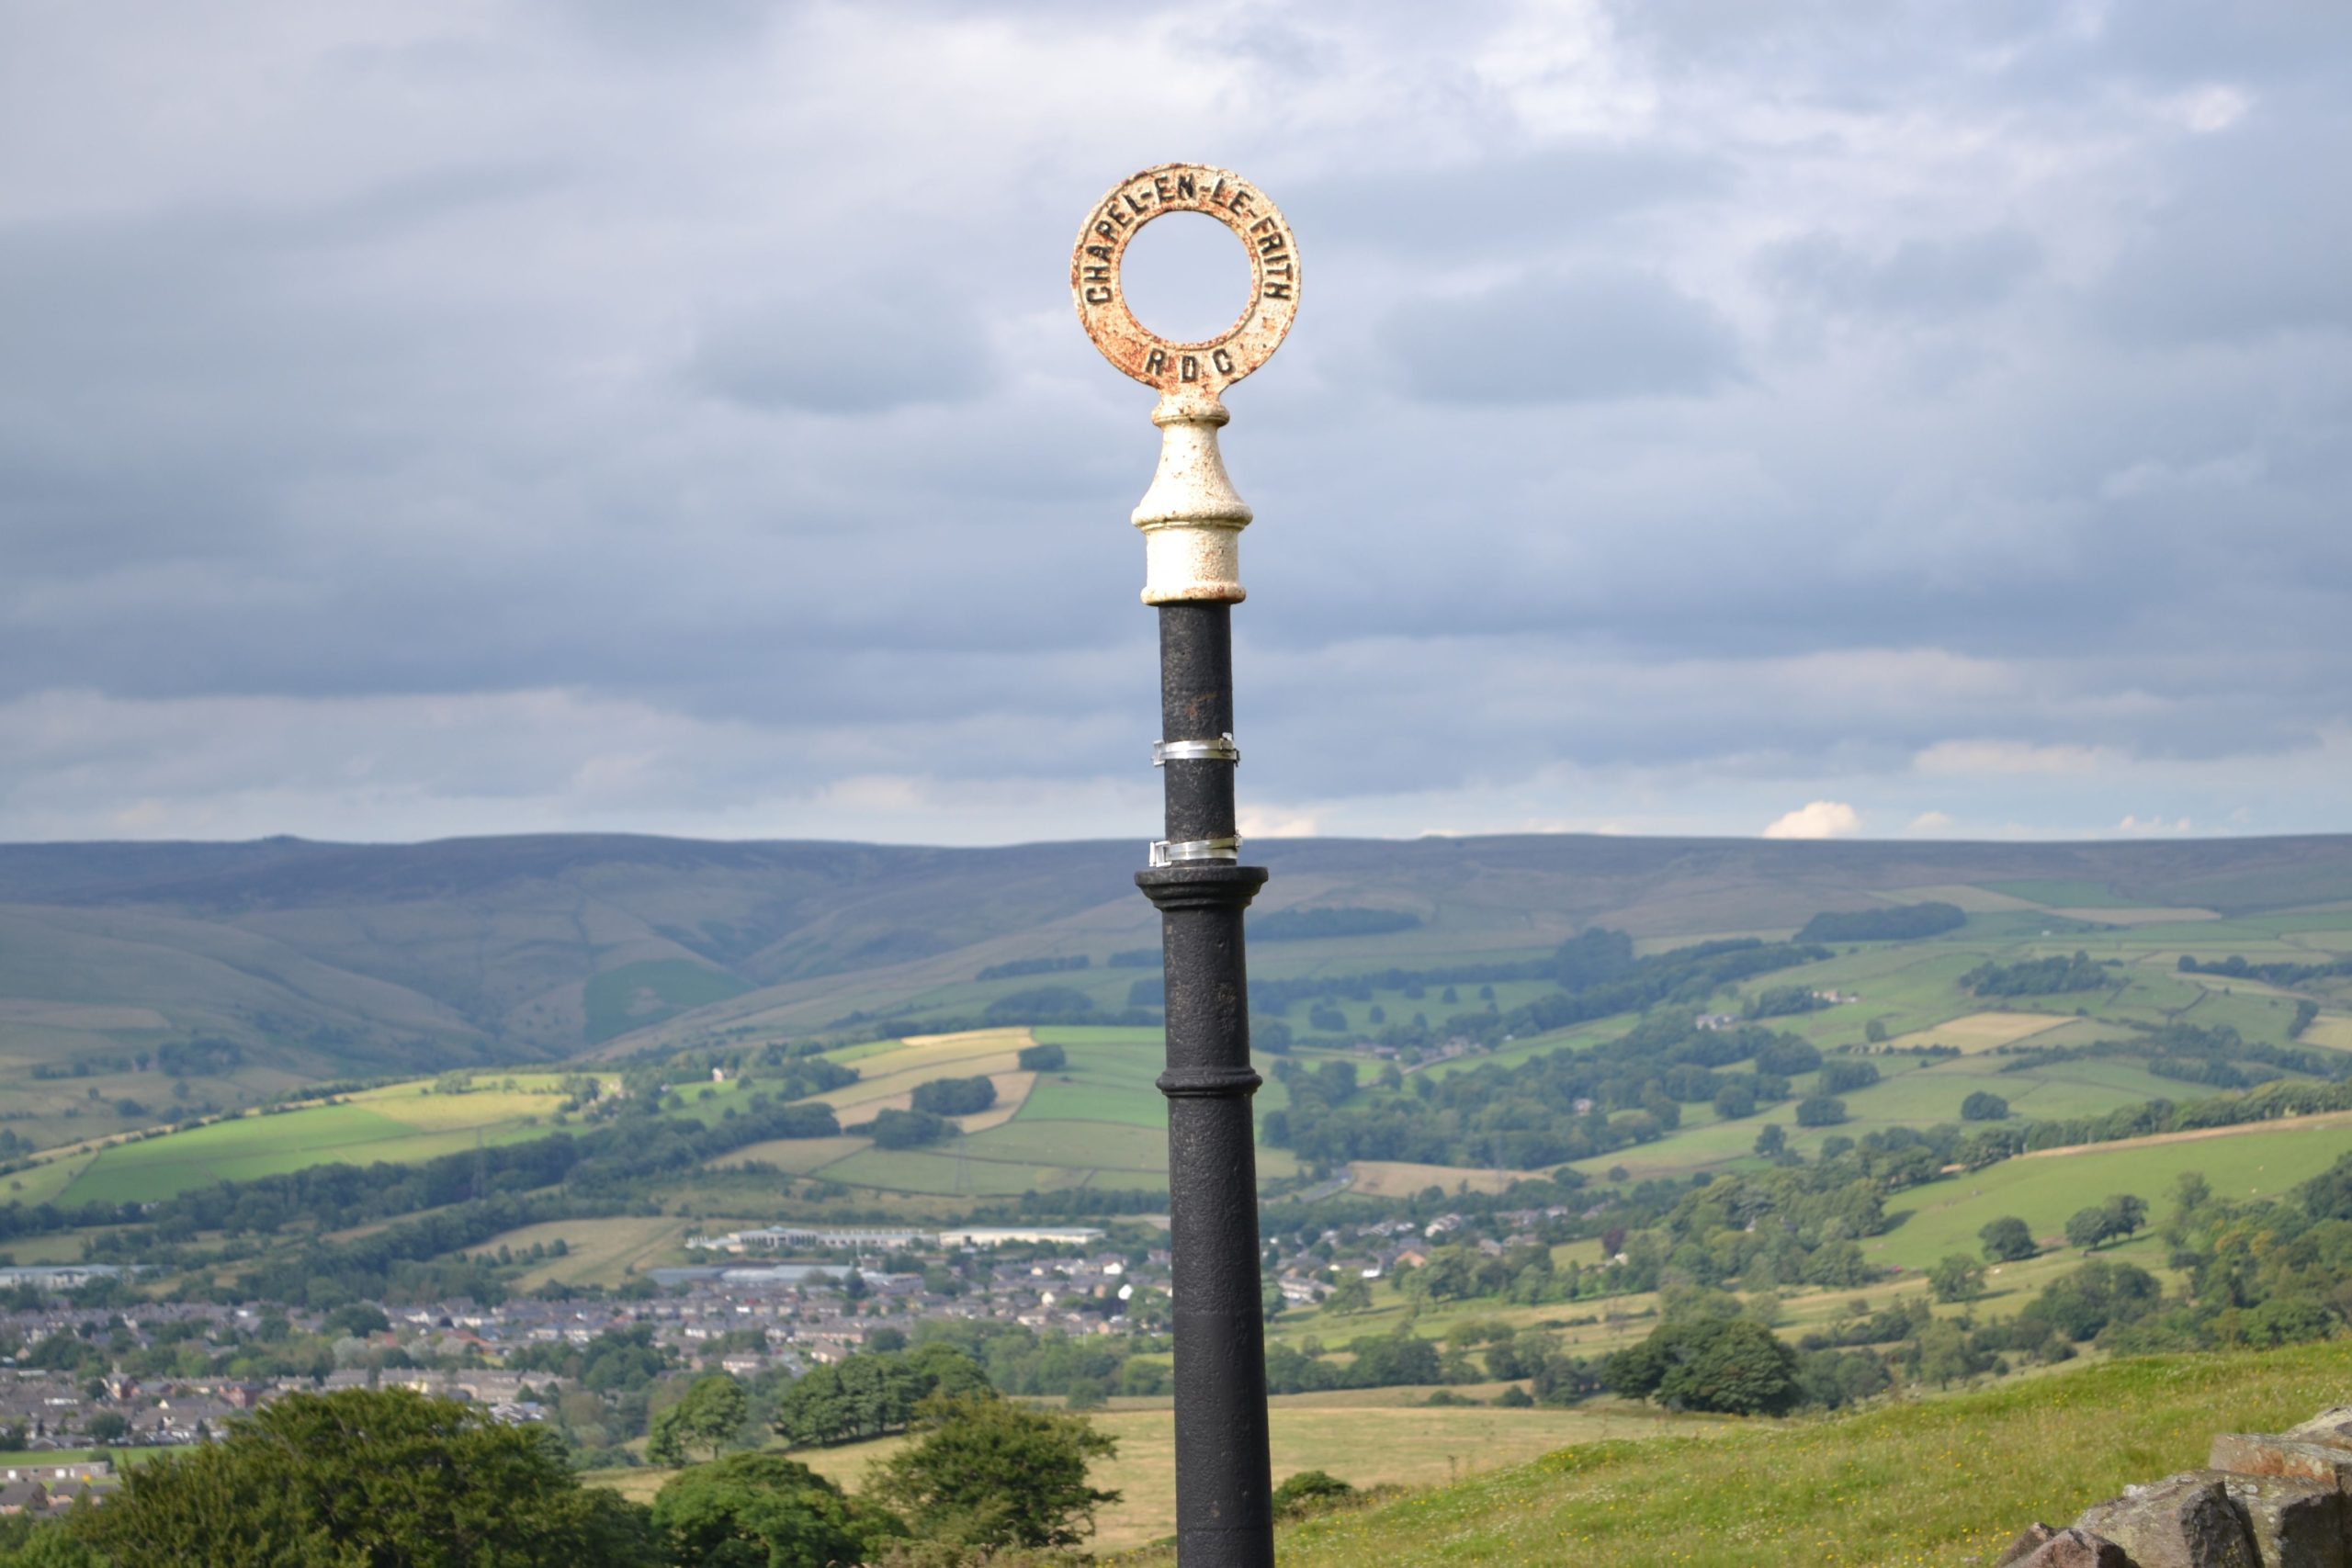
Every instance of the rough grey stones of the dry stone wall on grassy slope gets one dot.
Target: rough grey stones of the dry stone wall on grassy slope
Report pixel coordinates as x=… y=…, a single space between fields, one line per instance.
x=2264 y=1501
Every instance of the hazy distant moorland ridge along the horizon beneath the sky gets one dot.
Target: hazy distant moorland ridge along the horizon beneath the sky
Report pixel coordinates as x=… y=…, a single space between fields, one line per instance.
x=370 y=958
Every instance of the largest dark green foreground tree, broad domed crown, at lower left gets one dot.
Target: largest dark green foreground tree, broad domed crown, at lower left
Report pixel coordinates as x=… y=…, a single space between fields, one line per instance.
x=368 y=1477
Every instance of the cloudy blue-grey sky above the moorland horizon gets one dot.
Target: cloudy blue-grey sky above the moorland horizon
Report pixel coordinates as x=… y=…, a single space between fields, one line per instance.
x=1704 y=417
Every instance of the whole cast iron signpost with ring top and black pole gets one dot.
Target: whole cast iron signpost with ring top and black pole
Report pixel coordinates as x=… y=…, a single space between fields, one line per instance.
x=1194 y=525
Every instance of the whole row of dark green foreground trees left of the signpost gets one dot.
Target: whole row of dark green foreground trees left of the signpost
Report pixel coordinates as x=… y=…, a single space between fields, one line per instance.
x=394 y=1477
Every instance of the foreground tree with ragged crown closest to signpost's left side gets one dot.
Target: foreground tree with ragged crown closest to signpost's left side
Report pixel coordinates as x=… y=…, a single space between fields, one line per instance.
x=989 y=1473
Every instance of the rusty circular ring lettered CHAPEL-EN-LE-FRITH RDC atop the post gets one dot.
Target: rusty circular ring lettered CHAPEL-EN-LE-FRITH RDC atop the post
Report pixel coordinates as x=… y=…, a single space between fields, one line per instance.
x=1201 y=370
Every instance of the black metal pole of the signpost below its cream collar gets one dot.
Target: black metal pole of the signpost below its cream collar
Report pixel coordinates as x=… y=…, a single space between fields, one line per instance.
x=1224 y=1513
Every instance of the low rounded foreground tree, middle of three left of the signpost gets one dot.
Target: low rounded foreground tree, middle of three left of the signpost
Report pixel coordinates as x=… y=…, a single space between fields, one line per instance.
x=763 y=1510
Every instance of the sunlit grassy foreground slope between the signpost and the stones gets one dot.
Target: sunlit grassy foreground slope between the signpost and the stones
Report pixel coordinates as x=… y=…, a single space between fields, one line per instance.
x=1944 y=1482
